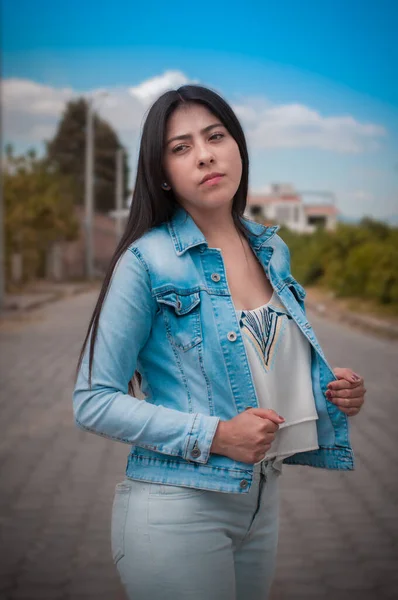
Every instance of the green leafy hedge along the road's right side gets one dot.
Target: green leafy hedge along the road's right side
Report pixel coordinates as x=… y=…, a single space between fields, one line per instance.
x=353 y=261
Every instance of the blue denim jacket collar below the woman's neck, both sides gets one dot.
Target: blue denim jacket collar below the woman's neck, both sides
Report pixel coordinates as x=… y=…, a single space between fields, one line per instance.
x=186 y=234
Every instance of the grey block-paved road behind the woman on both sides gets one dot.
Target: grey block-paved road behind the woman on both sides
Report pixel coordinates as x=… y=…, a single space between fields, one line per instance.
x=339 y=530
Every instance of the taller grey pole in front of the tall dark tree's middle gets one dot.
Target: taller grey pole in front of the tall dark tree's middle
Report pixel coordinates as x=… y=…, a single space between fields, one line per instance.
x=89 y=190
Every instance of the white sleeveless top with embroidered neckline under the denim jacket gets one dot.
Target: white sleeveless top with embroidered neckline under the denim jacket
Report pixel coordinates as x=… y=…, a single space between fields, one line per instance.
x=279 y=356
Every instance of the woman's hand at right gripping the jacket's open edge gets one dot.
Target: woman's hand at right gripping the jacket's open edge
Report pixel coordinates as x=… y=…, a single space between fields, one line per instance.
x=348 y=393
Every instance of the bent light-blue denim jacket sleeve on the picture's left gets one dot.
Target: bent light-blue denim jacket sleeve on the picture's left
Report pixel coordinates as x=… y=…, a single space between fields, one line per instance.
x=106 y=408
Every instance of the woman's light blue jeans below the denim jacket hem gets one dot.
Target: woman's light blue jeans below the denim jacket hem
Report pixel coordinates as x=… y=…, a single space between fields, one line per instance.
x=179 y=543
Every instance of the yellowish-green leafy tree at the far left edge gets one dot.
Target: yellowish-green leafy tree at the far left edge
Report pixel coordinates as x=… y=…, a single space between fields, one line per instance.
x=39 y=210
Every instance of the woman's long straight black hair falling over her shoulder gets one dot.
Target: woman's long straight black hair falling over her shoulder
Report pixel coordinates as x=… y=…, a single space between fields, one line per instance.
x=151 y=205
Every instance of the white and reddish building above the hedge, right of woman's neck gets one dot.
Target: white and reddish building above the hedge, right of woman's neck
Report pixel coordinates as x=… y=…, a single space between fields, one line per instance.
x=282 y=205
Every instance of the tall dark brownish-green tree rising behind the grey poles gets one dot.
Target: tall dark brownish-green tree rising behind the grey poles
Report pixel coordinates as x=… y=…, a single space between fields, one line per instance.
x=67 y=152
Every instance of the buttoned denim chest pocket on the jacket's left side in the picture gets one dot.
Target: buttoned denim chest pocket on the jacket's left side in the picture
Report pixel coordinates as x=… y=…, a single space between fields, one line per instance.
x=181 y=313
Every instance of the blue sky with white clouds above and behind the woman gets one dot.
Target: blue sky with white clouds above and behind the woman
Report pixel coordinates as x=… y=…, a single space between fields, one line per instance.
x=314 y=83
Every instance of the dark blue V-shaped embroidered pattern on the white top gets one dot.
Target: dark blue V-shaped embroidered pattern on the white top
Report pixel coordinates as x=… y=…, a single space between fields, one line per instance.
x=264 y=328
